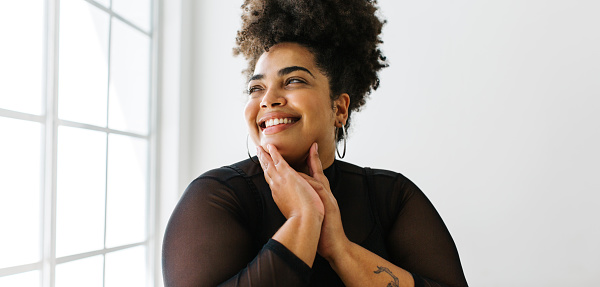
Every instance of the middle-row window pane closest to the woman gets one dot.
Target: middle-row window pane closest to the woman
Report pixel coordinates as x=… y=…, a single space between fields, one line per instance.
x=127 y=177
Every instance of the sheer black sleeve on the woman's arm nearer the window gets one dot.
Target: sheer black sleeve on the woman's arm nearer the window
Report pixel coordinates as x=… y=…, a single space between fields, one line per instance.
x=208 y=241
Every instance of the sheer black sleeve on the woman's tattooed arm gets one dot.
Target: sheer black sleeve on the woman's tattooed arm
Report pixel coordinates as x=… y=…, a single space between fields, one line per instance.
x=419 y=240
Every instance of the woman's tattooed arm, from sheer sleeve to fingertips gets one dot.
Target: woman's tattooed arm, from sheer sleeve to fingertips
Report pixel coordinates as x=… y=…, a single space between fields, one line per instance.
x=419 y=241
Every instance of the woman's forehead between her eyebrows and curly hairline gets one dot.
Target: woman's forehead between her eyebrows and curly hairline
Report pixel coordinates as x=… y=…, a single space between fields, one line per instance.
x=285 y=55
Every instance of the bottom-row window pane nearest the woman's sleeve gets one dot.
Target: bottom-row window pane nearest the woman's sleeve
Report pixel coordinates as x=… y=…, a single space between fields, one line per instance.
x=126 y=267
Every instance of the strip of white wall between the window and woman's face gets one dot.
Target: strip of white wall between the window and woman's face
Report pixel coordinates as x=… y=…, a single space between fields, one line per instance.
x=219 y=134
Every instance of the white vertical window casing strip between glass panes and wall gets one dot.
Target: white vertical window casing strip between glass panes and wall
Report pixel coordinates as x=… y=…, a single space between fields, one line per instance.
x=174 y=40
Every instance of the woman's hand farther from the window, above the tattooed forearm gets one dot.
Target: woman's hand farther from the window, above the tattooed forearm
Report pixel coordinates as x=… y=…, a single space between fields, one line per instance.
x=333 y=240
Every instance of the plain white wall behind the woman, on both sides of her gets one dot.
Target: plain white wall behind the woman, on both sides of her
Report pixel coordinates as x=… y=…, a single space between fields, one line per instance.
x=491 y=107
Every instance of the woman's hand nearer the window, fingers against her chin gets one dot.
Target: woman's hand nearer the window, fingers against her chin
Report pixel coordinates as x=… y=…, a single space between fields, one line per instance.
x=291 y=192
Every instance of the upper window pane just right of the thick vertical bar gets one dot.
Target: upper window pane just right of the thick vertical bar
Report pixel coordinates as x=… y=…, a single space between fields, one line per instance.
x=83 y=63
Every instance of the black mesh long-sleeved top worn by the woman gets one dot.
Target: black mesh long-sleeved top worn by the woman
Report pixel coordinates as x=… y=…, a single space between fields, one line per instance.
x=220 y=232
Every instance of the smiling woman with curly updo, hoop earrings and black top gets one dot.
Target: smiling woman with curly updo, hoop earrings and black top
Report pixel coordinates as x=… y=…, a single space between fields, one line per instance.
x=301 y=217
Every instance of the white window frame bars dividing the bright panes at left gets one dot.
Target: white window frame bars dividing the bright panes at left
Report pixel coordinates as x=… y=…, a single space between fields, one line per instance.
x=156 y=213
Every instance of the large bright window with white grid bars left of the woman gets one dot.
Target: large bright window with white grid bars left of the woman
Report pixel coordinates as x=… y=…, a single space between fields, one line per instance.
x=76 y=126
